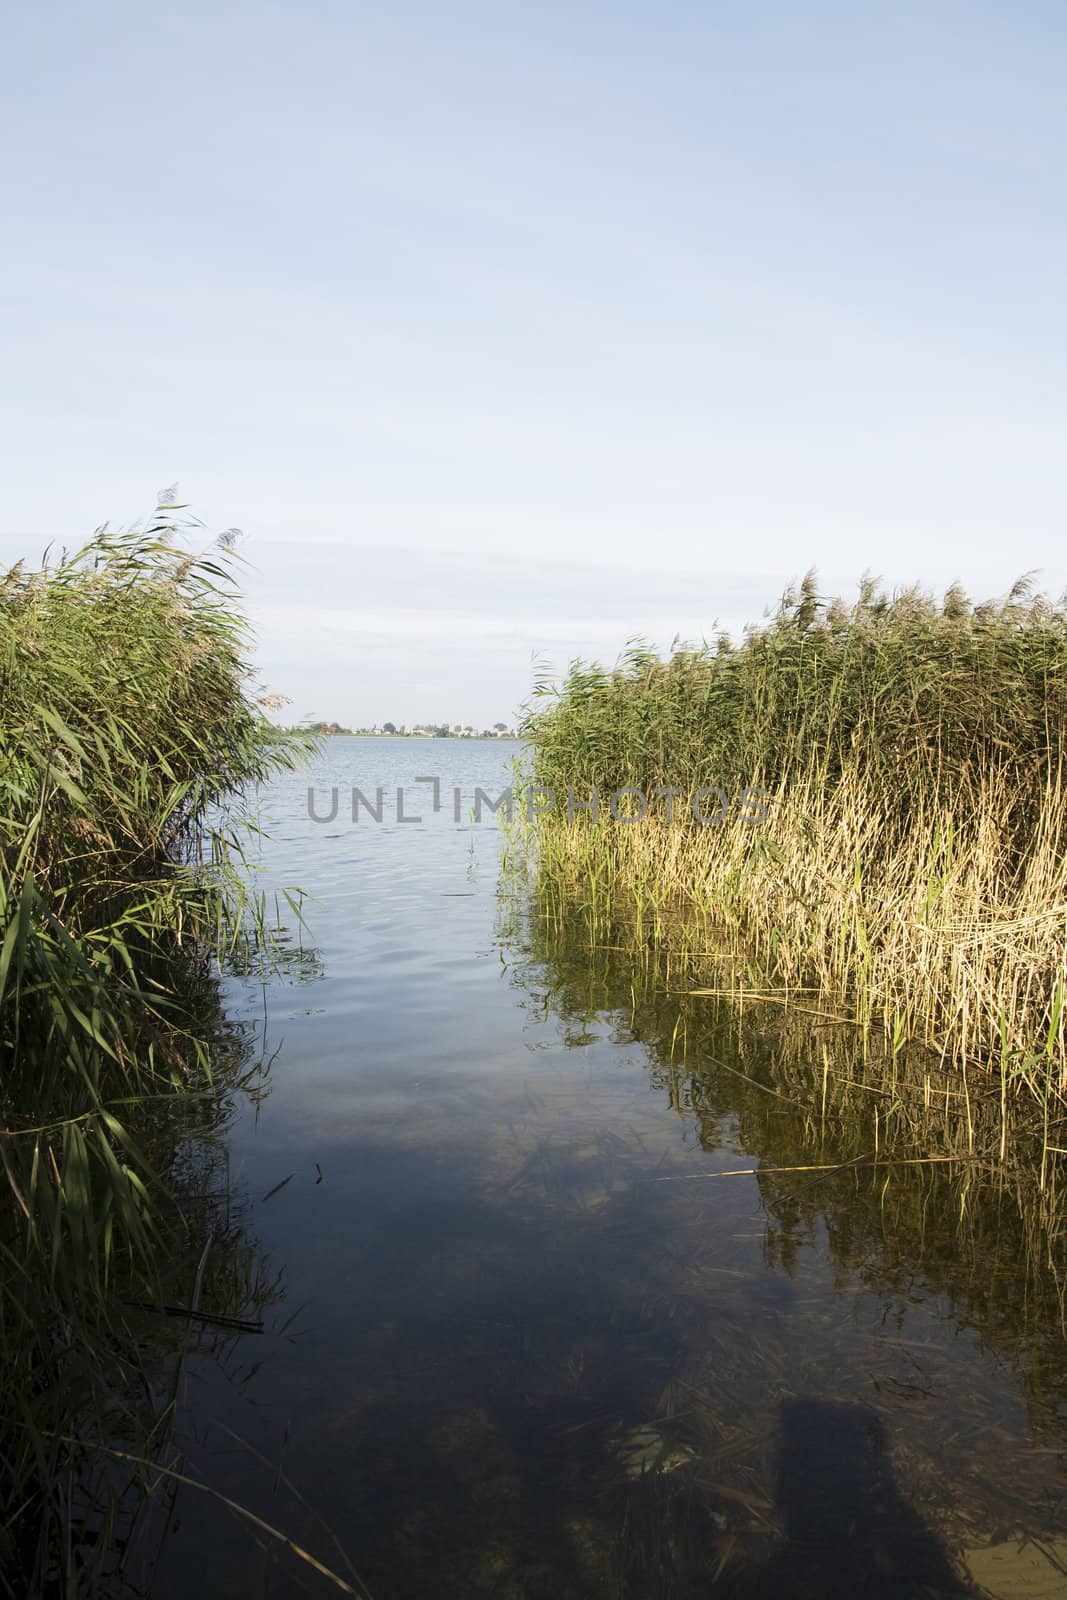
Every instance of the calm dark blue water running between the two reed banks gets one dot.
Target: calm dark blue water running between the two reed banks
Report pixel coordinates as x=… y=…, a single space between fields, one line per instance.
x=521 y=1345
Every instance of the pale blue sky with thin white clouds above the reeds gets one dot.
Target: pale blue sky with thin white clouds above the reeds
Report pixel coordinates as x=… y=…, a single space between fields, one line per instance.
x=510 y=334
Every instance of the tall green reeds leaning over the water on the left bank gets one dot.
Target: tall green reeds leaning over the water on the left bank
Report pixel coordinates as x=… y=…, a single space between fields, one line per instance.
x=129 y=730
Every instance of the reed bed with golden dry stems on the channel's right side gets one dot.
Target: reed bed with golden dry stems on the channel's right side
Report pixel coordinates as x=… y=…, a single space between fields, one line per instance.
x=911 y=870
